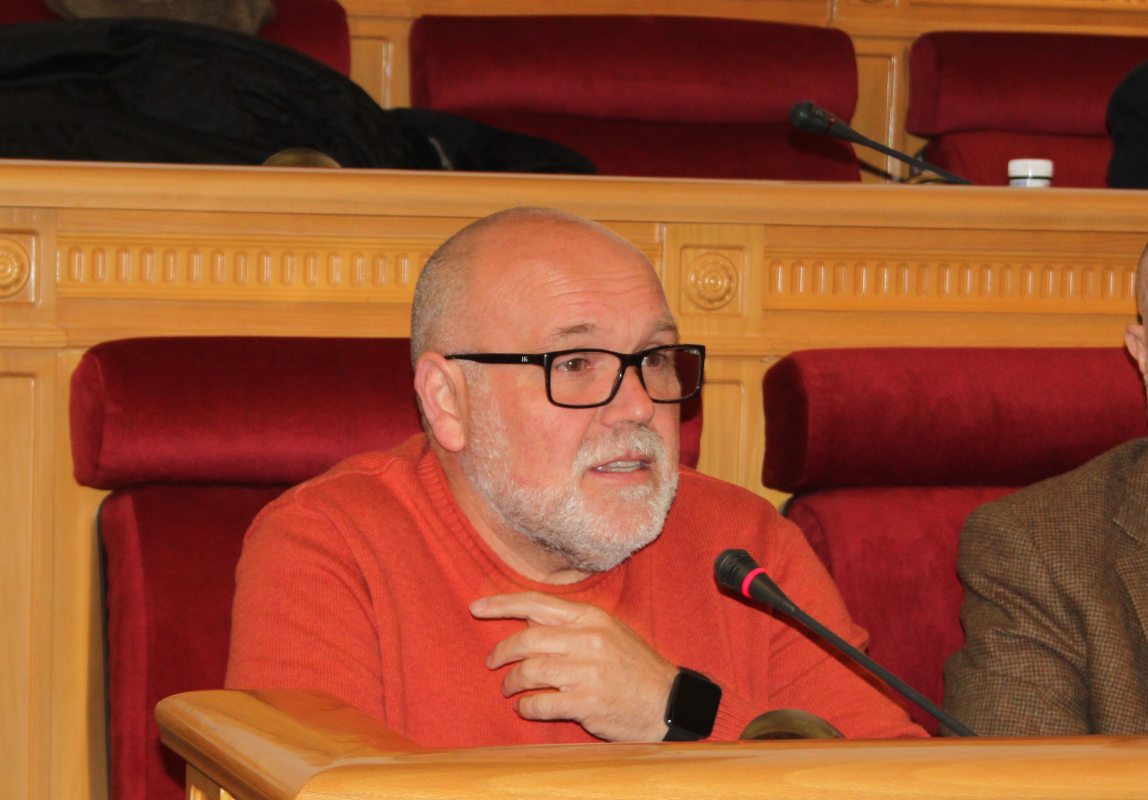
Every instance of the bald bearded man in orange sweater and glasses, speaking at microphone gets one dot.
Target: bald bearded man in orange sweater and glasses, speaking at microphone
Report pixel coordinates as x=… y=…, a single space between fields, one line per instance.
x=538 y=568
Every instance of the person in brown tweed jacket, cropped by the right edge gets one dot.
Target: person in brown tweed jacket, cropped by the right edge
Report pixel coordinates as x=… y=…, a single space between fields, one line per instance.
x=1056 y=608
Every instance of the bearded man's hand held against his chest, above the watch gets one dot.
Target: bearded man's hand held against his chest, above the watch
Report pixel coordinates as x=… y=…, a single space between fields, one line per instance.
x=575 y=662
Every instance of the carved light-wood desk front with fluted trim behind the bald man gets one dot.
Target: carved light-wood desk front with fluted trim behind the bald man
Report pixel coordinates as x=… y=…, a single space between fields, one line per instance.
x=753 y=270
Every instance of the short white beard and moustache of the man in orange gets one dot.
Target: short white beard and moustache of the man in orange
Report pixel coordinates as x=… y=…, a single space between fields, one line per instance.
x=561 y=518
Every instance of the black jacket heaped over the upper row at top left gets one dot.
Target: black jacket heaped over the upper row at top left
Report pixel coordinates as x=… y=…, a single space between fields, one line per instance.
x=175 y=92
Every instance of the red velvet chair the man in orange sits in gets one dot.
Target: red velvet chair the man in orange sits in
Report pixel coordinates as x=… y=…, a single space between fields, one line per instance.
x=193 y=437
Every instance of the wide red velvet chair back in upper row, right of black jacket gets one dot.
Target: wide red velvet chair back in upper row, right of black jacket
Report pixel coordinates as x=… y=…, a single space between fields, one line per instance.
x=647 y=96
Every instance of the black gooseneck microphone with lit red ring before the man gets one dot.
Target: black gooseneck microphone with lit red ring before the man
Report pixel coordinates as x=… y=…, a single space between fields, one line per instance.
x=736 y=571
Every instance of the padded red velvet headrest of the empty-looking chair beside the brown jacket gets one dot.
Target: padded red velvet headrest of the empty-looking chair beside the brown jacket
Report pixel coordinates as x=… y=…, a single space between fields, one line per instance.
x=873 y=417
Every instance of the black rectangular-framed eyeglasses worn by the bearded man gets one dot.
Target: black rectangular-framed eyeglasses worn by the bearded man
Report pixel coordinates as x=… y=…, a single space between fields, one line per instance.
x=586 y=379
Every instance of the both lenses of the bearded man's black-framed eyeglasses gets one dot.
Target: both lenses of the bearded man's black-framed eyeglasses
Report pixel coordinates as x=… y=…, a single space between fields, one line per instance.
x=587 y=378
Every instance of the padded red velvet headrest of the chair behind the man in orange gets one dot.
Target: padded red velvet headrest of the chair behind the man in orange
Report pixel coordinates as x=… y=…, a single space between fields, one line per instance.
x=236 y=410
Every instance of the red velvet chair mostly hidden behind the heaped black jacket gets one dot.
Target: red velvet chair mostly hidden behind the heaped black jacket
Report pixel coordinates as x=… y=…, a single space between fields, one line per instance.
x=317 y=28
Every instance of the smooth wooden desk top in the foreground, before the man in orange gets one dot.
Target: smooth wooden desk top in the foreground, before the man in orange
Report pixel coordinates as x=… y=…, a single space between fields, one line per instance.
x=283 y=744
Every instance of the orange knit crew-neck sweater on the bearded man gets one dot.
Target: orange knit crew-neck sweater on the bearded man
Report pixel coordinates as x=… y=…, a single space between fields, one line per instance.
x=359 y=584
